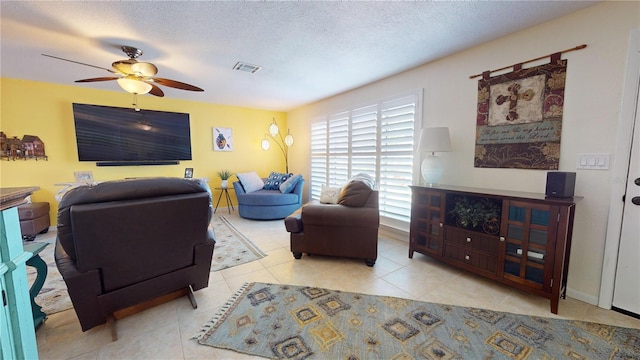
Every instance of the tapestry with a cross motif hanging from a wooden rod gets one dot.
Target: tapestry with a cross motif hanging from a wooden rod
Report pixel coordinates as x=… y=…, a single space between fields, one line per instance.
x=519 y=120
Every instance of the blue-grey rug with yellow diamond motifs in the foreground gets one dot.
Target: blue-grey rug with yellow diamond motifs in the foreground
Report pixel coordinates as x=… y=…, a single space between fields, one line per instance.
x=293 y=322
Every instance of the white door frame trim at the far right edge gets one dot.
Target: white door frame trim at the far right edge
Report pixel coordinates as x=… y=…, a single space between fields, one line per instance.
x=620 y=172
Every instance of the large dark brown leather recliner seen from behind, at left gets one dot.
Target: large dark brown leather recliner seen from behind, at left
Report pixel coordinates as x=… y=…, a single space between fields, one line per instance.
x=121 y=243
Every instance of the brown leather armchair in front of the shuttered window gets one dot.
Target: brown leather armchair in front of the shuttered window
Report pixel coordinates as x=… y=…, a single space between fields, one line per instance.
x=336 y=230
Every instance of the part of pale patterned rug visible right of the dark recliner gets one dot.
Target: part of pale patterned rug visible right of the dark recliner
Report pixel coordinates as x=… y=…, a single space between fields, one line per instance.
x=232 y=247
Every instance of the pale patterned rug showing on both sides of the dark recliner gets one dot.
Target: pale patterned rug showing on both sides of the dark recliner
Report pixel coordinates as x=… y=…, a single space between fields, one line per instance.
x=232 y=248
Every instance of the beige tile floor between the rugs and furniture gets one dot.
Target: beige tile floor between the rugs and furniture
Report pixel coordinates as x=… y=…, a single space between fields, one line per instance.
x=165 y=331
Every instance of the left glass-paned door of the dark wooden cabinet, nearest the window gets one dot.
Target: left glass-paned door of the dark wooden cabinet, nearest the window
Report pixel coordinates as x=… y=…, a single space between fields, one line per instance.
x=429 y=221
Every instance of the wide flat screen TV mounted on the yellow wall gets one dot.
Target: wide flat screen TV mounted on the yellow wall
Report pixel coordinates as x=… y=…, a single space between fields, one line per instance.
x=123 y=136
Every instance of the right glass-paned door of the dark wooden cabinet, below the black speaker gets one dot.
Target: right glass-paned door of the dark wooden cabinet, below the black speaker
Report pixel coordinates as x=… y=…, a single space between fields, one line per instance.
x=526 y=233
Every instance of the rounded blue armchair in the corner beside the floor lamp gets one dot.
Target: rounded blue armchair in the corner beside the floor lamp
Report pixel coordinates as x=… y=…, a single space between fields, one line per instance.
x=268 y=204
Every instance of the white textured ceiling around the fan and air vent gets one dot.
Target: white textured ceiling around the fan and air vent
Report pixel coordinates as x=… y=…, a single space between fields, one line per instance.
x=308 y=50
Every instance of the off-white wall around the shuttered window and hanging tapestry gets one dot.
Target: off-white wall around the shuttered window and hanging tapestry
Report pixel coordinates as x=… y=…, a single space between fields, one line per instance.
x=592 y=104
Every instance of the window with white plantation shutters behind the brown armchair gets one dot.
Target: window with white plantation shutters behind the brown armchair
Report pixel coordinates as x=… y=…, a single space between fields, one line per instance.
x=376 y=139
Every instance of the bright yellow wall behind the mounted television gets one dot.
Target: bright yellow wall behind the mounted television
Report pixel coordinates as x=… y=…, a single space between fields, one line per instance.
x=44 y=109
